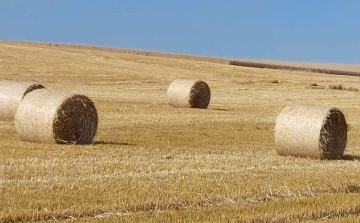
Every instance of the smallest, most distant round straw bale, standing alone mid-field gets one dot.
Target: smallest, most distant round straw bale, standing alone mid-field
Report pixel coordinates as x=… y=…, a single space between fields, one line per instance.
x=188 y=93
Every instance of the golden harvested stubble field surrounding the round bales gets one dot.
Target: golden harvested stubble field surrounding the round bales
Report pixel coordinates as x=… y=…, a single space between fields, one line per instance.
x=151 y=162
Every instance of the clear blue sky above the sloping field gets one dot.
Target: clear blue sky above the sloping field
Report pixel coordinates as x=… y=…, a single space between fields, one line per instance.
x=300 y=30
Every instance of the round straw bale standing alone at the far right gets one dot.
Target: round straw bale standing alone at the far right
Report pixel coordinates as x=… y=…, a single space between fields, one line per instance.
x=311 y=131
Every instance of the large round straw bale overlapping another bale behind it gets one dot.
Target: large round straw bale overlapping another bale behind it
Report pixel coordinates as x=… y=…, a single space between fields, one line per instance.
x=49 y=116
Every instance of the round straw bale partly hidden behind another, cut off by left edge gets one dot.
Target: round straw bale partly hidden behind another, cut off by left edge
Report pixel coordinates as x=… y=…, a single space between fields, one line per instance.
x=11 y=93
